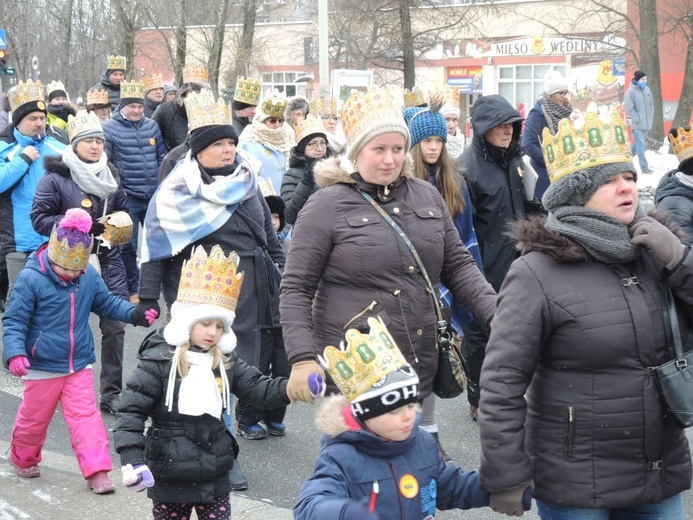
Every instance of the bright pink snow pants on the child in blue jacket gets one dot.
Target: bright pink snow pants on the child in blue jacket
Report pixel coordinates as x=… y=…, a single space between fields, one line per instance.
x=75 y=393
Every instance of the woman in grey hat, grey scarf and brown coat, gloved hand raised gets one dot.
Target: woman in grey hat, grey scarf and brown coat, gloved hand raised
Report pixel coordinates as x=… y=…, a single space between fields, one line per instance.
x=569 y=402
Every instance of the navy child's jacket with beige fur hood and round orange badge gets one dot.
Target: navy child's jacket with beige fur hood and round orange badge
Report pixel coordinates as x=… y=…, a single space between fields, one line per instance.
x=413 y=479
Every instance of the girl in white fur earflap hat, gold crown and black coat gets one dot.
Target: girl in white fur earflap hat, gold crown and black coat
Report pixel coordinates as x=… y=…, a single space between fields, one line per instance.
x=185 y=374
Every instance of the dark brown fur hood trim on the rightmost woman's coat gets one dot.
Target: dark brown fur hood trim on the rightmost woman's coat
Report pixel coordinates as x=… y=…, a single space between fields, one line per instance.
x=531 y=234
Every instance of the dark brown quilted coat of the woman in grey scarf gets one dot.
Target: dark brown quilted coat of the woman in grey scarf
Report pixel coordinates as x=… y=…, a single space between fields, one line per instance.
x=579 y=337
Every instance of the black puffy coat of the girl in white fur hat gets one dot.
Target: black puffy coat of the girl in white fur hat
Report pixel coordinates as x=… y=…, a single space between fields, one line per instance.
x=189 y=456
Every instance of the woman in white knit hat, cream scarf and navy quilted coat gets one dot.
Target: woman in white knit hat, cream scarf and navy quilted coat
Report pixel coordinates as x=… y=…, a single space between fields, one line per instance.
x=81 y=178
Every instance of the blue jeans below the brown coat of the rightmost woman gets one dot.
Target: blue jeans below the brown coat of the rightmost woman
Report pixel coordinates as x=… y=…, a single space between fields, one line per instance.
x=670 y=509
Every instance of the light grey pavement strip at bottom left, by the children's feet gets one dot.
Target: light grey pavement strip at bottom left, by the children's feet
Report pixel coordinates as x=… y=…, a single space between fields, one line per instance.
x=60 y=493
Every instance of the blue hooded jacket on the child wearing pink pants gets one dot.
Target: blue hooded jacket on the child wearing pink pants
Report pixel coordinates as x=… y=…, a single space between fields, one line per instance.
x=47 y=320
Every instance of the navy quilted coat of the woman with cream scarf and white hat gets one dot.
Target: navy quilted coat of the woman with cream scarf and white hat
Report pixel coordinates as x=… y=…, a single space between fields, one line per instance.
x=56 y=193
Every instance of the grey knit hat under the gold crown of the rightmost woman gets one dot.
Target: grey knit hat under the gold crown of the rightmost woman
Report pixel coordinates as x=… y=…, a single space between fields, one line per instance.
x=576 y=188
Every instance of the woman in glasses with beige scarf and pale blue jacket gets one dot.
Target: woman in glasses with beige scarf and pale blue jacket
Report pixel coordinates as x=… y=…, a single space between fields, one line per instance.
x=269 y=139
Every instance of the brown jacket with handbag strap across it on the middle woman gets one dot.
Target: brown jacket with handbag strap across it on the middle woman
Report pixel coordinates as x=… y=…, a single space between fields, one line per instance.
x=347 y=263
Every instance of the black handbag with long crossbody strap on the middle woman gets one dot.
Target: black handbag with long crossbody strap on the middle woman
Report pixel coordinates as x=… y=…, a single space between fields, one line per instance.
x=450 y=379
